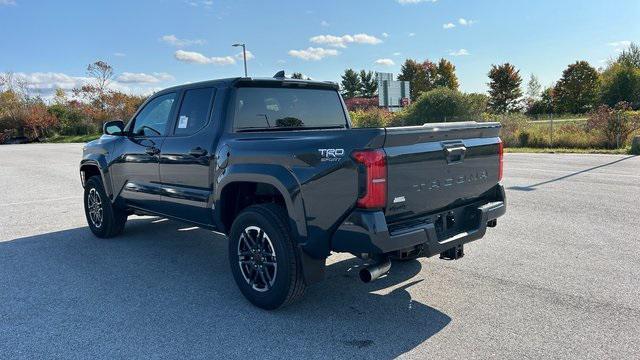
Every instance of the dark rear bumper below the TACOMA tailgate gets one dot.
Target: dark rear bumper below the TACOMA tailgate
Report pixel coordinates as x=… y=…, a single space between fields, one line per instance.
x=367 y=231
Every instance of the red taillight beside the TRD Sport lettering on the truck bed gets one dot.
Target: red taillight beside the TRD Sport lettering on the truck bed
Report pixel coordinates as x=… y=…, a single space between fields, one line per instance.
x=373 y=166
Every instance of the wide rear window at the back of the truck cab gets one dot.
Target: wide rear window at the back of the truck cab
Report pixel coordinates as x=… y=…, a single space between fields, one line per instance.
x=273 y=108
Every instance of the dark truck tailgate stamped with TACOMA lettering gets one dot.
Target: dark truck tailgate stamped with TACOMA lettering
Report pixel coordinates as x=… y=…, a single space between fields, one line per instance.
x=436 y=166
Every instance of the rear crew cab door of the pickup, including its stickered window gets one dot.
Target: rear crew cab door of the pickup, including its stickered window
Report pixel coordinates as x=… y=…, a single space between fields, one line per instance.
x=186 y=157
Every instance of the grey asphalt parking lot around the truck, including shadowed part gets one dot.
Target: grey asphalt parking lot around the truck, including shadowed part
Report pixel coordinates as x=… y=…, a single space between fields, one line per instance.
x=558 y=278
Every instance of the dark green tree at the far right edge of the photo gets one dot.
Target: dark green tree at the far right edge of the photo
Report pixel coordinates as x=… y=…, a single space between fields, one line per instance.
x=620 y=82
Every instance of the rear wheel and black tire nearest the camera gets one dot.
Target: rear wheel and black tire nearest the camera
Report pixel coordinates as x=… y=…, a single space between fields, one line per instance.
x=273 y=288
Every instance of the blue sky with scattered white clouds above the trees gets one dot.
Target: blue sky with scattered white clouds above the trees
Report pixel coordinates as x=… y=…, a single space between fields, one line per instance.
x=155 y=44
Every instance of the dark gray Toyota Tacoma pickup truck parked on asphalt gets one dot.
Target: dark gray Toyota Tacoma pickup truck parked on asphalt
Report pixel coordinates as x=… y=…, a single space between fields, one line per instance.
x=275 y=165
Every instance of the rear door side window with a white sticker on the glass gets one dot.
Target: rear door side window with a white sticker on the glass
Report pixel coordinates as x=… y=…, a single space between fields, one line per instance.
x=194 y=111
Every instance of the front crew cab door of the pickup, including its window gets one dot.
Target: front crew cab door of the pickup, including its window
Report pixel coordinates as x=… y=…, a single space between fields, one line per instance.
x=135 y=171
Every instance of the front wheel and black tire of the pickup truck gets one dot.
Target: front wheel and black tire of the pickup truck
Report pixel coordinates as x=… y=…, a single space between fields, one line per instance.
x=112 y=219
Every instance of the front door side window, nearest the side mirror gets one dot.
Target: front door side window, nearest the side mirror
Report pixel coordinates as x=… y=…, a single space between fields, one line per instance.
x=152 y=120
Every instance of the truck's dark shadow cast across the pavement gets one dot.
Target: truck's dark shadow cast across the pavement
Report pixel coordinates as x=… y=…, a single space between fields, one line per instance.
x=165 y=290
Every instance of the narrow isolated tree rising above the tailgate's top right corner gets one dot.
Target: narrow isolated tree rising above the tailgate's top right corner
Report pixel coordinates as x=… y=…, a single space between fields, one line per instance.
x=504 y=88
